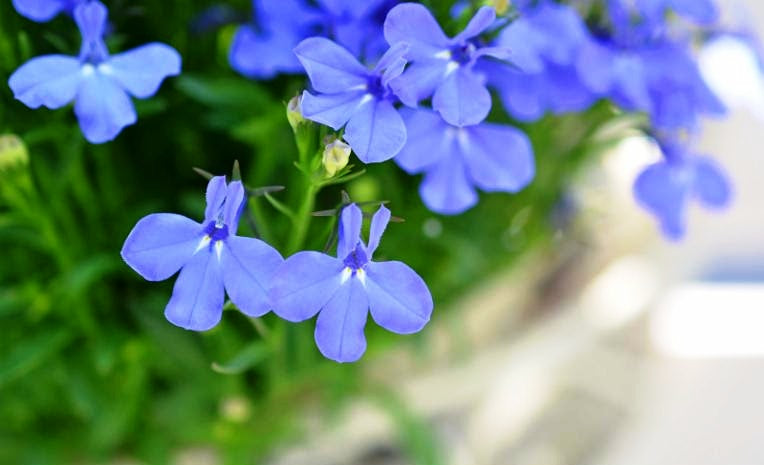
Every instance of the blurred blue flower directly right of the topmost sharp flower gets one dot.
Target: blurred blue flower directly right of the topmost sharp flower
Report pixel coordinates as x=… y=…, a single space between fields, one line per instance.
x=544 y=42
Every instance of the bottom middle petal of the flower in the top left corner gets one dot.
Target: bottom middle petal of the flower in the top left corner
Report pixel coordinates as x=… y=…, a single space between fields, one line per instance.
x=103 y=108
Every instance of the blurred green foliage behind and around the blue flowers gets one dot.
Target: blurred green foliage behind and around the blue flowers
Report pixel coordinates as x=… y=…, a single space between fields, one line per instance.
x=89 y=368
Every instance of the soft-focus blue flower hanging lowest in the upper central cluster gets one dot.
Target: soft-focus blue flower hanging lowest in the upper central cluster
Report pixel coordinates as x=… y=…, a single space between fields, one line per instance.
x=455 y=160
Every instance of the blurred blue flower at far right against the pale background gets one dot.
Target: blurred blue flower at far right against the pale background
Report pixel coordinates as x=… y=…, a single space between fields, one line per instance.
x=666 y=188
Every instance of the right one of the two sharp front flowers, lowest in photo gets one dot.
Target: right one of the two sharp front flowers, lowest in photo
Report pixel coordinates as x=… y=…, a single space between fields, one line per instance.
x=346 y=288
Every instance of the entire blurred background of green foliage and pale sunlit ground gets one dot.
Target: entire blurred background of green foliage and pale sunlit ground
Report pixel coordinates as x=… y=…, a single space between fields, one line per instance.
x=584 y=337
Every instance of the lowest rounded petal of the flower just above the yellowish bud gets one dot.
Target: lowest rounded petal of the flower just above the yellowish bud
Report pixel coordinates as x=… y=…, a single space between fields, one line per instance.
x=376 y=131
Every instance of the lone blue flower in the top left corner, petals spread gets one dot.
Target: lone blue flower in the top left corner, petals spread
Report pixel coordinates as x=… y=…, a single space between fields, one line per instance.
x=99 y=84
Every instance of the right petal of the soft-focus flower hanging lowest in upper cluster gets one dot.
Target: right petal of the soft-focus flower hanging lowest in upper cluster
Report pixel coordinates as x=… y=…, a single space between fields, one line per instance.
x=499 y=158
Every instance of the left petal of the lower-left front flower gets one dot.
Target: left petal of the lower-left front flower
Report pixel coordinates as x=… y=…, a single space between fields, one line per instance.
x=160 y=244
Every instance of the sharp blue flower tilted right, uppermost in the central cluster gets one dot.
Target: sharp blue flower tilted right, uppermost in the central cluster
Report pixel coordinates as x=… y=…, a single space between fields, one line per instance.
x=443 y=67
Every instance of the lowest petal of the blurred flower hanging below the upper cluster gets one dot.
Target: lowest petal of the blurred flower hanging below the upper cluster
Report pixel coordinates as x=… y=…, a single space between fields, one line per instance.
x=446 y=188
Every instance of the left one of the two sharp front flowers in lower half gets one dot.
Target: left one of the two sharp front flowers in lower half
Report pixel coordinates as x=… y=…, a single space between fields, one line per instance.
x=212 y=260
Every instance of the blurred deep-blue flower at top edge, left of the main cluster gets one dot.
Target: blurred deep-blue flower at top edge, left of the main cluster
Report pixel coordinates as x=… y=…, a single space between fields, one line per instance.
x=264 y=48
